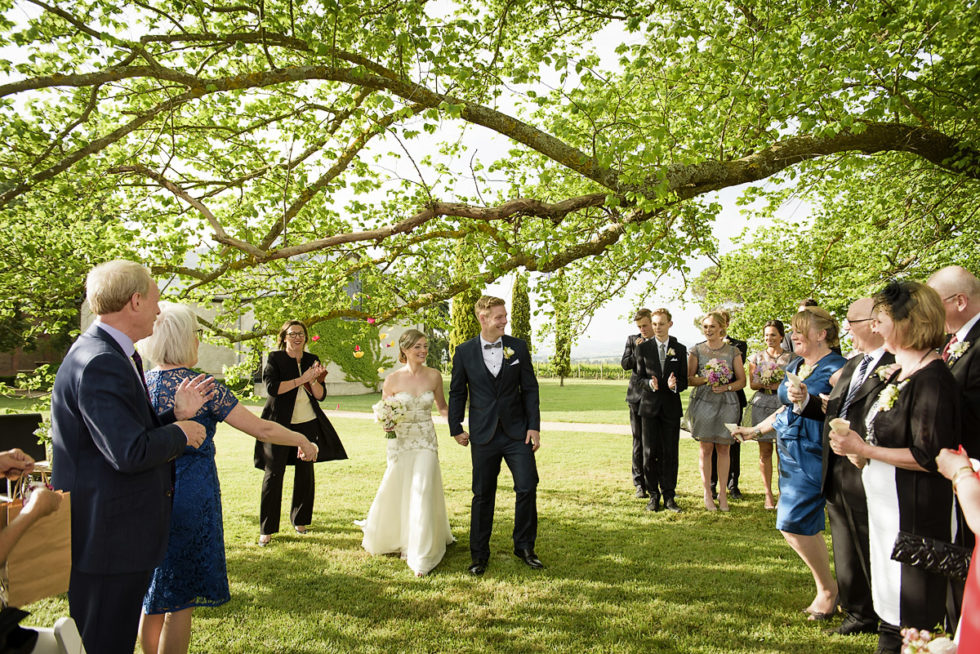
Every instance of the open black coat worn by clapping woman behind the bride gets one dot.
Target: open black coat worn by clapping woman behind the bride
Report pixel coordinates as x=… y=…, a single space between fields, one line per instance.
x=280 y=367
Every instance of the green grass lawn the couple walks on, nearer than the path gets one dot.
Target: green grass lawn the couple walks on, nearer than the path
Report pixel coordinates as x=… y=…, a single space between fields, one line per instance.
x=618 y=579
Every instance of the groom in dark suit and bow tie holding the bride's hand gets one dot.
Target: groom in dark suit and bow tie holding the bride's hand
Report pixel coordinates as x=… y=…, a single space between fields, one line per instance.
x=495 y=372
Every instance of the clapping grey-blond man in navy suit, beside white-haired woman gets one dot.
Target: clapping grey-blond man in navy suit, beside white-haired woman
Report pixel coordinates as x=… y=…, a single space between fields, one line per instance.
x=114 y=454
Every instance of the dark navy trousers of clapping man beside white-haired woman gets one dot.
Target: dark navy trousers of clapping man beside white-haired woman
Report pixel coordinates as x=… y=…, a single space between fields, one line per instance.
x=106 y=608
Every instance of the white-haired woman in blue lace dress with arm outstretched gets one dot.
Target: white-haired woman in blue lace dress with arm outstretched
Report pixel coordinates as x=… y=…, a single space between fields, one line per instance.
x=193 y=572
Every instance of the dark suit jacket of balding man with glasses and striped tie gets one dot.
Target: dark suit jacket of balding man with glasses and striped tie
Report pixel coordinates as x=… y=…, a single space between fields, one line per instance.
x=866 y=393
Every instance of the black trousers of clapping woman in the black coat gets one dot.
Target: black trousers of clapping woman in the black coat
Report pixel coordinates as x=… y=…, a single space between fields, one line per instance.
x=304 y=486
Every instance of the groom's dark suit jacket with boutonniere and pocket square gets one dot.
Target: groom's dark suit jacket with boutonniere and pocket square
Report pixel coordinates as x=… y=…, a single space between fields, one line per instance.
x=510 y=399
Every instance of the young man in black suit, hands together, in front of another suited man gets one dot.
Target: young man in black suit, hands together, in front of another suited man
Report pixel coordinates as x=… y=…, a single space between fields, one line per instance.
x=662 y=369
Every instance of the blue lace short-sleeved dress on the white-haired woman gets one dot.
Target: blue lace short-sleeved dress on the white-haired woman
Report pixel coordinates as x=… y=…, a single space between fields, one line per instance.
x=193 y=572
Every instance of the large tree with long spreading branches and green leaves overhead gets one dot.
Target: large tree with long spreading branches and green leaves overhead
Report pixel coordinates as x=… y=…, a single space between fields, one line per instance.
x=266 y=152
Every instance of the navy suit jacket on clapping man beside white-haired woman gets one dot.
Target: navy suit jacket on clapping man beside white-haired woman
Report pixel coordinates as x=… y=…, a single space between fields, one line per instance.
x=114 y=454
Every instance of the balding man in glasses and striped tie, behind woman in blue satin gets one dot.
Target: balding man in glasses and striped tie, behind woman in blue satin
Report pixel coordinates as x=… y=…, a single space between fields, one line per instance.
x=841 y=483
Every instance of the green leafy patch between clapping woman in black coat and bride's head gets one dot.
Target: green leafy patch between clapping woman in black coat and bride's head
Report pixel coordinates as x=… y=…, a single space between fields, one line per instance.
x=337 y=340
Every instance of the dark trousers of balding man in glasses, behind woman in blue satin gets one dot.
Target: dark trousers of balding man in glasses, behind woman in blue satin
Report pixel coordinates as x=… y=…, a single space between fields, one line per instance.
x=847 y=508
